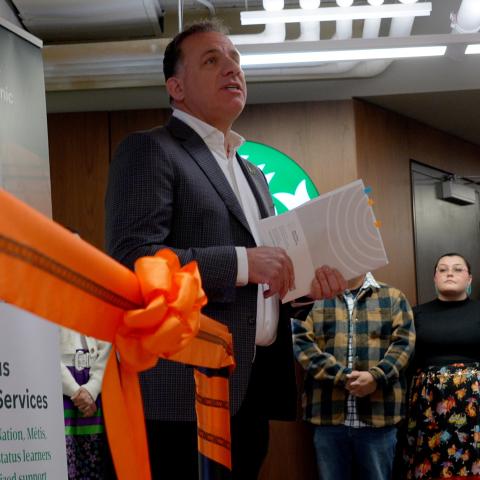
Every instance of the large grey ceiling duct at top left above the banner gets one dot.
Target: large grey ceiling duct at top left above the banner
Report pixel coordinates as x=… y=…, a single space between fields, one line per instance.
x=70 y=20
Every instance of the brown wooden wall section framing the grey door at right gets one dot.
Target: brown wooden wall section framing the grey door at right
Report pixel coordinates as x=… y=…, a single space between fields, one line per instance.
x=385 y=144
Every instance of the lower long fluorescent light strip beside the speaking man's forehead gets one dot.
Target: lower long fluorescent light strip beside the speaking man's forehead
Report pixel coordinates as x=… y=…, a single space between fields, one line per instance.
x=266 y=59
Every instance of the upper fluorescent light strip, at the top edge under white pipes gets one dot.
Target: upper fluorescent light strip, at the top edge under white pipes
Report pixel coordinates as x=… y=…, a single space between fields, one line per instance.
x=324 y=14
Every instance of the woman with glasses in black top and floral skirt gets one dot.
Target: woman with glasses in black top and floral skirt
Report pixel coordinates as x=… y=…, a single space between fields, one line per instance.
x=443 y=437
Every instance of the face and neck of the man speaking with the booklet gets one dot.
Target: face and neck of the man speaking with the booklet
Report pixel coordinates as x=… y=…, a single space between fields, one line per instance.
x=209 y=83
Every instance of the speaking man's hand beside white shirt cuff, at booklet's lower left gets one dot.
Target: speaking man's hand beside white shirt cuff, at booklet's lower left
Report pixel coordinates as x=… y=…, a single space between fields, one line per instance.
x=272 y=266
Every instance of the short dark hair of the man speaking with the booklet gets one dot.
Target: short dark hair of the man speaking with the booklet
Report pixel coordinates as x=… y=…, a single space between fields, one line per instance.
x=173 y=52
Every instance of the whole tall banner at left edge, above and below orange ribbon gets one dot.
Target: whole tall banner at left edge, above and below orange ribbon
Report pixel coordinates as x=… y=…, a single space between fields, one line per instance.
x=32 y=438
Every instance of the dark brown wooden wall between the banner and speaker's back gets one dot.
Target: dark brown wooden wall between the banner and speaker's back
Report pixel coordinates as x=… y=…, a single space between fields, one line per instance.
x=79 y=158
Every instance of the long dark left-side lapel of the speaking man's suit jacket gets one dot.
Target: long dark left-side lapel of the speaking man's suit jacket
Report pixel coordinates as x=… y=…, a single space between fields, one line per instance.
x=200 y=153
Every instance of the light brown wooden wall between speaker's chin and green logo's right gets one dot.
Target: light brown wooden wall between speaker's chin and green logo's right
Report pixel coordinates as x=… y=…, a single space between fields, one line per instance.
x=318 y=136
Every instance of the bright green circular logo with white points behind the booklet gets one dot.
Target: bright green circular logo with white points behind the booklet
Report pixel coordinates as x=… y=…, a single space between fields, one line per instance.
x=289 y=185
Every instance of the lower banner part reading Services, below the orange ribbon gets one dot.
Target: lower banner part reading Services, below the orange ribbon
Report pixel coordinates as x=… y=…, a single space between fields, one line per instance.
x=32 y=441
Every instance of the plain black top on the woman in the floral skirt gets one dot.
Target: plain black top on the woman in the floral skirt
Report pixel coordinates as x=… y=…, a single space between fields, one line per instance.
x=447 y=332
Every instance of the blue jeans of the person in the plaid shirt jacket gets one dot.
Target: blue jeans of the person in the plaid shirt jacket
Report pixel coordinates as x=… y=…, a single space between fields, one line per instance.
x=345 y=453
